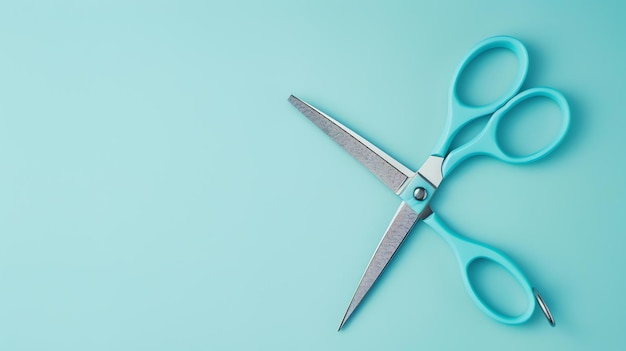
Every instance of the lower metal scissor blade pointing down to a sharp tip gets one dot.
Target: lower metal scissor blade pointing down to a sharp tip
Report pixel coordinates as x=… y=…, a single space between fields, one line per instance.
x=399 y=228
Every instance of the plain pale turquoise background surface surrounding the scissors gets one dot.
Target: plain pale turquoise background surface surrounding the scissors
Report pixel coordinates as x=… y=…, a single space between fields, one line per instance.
x=157 y=191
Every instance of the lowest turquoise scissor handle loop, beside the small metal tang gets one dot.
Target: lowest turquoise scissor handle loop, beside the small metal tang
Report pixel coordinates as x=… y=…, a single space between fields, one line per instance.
x=467 y=251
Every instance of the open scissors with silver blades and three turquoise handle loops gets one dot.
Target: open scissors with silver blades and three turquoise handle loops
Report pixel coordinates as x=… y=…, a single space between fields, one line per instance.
x=416 y=189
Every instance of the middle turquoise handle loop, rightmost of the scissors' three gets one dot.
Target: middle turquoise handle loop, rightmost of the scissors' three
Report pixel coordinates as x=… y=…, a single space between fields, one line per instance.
x=486 y=142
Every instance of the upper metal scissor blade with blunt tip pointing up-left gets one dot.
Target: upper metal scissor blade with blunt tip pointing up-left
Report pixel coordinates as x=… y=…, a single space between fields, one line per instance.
x=383 y=166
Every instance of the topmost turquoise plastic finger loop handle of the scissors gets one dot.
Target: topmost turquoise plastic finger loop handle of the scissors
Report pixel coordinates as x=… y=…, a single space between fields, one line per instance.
x=460 y=113
